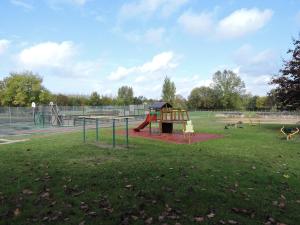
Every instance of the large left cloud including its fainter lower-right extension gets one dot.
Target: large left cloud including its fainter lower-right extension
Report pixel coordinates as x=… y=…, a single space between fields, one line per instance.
x=57 y=59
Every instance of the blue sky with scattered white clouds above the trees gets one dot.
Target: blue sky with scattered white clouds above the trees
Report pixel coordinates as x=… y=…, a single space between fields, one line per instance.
x=81 y=46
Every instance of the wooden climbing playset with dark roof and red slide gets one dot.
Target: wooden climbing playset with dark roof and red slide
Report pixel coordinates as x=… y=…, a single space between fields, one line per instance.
x=164 y=114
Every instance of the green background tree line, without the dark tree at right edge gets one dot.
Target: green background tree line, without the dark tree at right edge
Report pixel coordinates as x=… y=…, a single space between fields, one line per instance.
x=227 y=92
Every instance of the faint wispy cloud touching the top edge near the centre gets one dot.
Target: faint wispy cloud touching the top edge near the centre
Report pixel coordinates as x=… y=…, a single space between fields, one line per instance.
x=149 y=7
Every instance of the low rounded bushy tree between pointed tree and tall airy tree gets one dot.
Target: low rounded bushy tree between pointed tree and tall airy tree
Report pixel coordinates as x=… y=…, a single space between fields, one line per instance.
x=202 y=98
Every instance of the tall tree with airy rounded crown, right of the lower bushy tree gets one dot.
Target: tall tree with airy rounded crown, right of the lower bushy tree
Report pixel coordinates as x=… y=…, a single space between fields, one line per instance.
x=229 y=88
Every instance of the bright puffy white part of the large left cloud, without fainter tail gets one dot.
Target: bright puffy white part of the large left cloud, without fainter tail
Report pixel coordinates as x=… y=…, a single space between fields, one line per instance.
x=49 y=54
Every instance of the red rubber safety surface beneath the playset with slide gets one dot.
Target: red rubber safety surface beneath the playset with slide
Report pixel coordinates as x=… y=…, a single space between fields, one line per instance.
x=177 y=138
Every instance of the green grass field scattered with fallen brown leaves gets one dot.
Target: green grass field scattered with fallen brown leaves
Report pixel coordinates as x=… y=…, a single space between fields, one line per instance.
x=251 y=176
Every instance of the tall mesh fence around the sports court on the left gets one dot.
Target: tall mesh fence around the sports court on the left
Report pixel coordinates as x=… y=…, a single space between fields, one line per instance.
x=15 y=119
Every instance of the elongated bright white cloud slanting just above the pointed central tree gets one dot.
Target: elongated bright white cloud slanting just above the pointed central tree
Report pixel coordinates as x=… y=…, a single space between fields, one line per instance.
x=162 y=61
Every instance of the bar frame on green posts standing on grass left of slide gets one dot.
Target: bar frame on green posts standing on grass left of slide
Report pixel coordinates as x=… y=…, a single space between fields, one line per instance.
x=98 y=120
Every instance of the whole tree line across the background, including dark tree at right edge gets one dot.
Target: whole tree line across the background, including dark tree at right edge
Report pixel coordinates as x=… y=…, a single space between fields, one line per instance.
x=227 y=91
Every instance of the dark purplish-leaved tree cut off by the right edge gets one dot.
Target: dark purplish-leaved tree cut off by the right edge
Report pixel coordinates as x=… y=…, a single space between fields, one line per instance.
x=288 y=80
